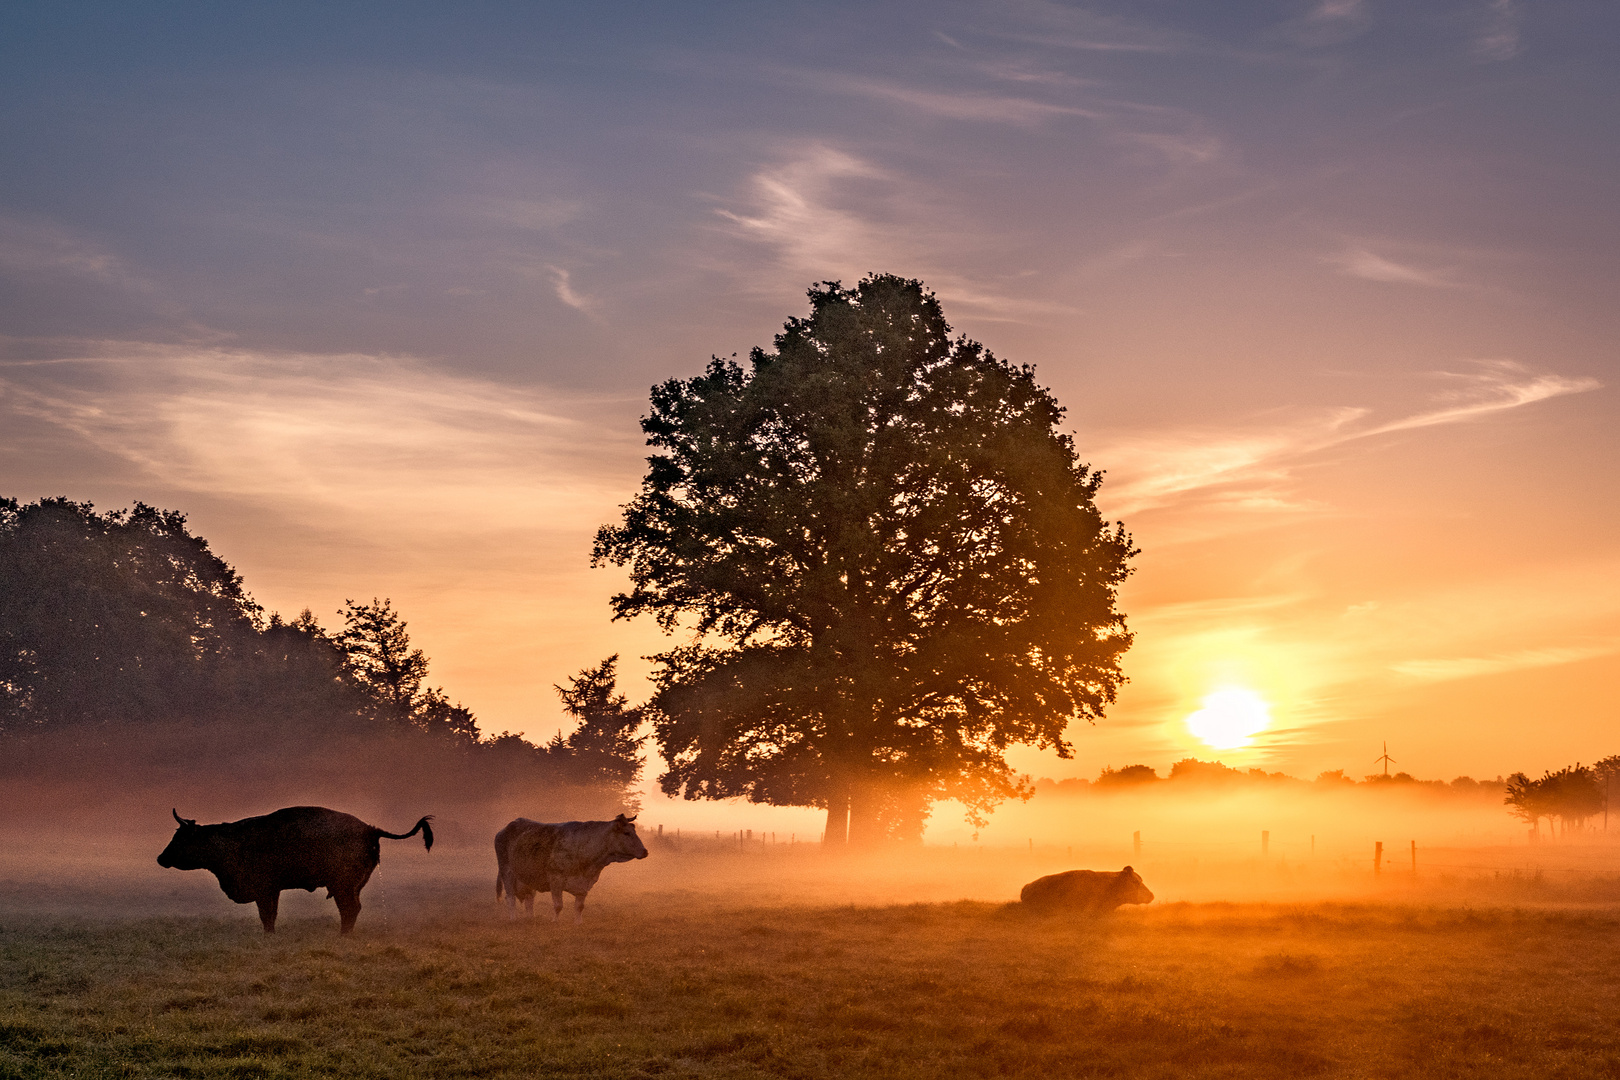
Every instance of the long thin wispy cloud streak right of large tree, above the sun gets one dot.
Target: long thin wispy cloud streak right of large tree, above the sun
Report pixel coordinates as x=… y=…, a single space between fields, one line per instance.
x=1253 y=469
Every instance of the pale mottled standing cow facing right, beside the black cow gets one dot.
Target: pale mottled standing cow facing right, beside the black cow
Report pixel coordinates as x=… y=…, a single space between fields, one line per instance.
x=565 y=857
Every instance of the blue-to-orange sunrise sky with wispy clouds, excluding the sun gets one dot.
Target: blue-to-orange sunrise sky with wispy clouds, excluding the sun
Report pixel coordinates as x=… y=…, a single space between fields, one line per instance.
x=375 y=296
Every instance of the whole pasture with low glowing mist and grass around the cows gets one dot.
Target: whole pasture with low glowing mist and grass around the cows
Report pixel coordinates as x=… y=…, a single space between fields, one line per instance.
x=736 y=958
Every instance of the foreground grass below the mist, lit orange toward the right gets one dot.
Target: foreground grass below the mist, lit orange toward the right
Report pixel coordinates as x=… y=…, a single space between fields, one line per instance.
x=688 y=987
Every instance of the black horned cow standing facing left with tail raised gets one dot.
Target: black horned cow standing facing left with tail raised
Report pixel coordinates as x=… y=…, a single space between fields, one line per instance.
x=299 y=848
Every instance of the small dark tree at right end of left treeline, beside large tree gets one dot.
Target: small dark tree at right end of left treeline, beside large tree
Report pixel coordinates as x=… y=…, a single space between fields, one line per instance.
x=605 y=749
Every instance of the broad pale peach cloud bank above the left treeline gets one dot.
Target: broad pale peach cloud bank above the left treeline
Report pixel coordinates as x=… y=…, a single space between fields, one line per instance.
x=339 y=436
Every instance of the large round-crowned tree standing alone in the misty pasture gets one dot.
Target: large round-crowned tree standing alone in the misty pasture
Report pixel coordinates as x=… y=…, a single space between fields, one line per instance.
x=890 y=561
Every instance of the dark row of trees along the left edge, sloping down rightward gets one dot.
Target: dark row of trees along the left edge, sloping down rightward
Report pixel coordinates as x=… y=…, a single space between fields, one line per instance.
x=124 y=637
